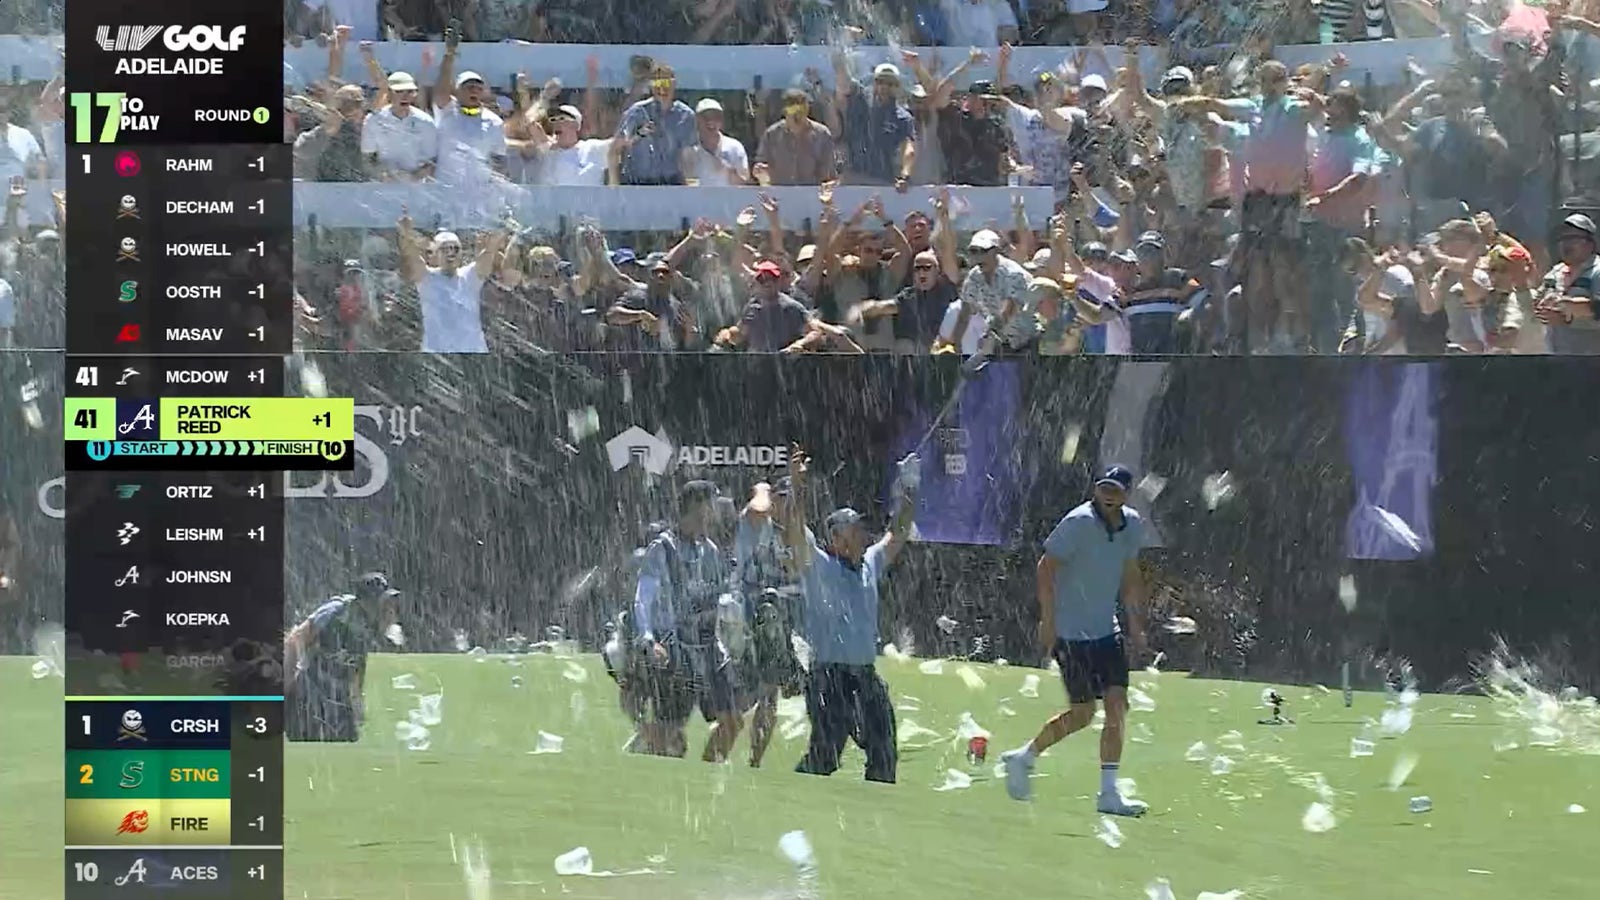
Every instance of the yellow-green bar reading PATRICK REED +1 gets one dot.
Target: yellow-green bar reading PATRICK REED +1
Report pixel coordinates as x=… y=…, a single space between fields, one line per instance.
x=257 y=419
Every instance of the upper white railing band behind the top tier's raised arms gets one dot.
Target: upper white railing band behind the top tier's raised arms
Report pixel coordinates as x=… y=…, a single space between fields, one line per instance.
x=730 y=68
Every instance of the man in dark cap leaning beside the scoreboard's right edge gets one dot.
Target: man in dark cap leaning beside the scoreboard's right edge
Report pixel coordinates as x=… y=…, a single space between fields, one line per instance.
x=326 y=664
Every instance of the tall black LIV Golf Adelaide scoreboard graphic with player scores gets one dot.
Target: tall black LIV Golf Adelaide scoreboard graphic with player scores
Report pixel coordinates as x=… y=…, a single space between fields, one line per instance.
x=180 y=311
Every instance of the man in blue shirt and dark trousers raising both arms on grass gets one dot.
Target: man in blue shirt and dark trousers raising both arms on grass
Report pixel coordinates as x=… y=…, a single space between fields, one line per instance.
x=844 y=696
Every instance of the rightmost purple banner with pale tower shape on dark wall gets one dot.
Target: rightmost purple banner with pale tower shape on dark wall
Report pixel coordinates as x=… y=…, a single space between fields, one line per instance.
x=1391 y=436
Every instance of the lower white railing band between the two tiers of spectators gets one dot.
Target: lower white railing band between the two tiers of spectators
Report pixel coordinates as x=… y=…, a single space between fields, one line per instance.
x=615 y=209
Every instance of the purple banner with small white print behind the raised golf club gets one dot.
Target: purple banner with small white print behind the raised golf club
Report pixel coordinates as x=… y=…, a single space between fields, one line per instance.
x=970 y=483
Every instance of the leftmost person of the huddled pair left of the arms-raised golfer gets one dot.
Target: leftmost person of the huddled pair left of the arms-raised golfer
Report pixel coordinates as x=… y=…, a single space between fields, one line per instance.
x=674 y=630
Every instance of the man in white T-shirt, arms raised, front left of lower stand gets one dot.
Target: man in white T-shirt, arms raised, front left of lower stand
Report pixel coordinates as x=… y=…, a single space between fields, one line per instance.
x=450 y=294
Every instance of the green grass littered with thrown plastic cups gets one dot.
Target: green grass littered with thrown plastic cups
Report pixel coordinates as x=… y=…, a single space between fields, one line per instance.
x=375 y=822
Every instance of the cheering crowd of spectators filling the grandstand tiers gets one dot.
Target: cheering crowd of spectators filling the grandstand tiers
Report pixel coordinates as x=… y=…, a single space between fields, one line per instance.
x=1225 y=204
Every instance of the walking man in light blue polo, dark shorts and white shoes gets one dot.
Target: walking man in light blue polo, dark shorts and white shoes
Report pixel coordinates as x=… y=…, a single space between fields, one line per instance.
x=1090 y=563
